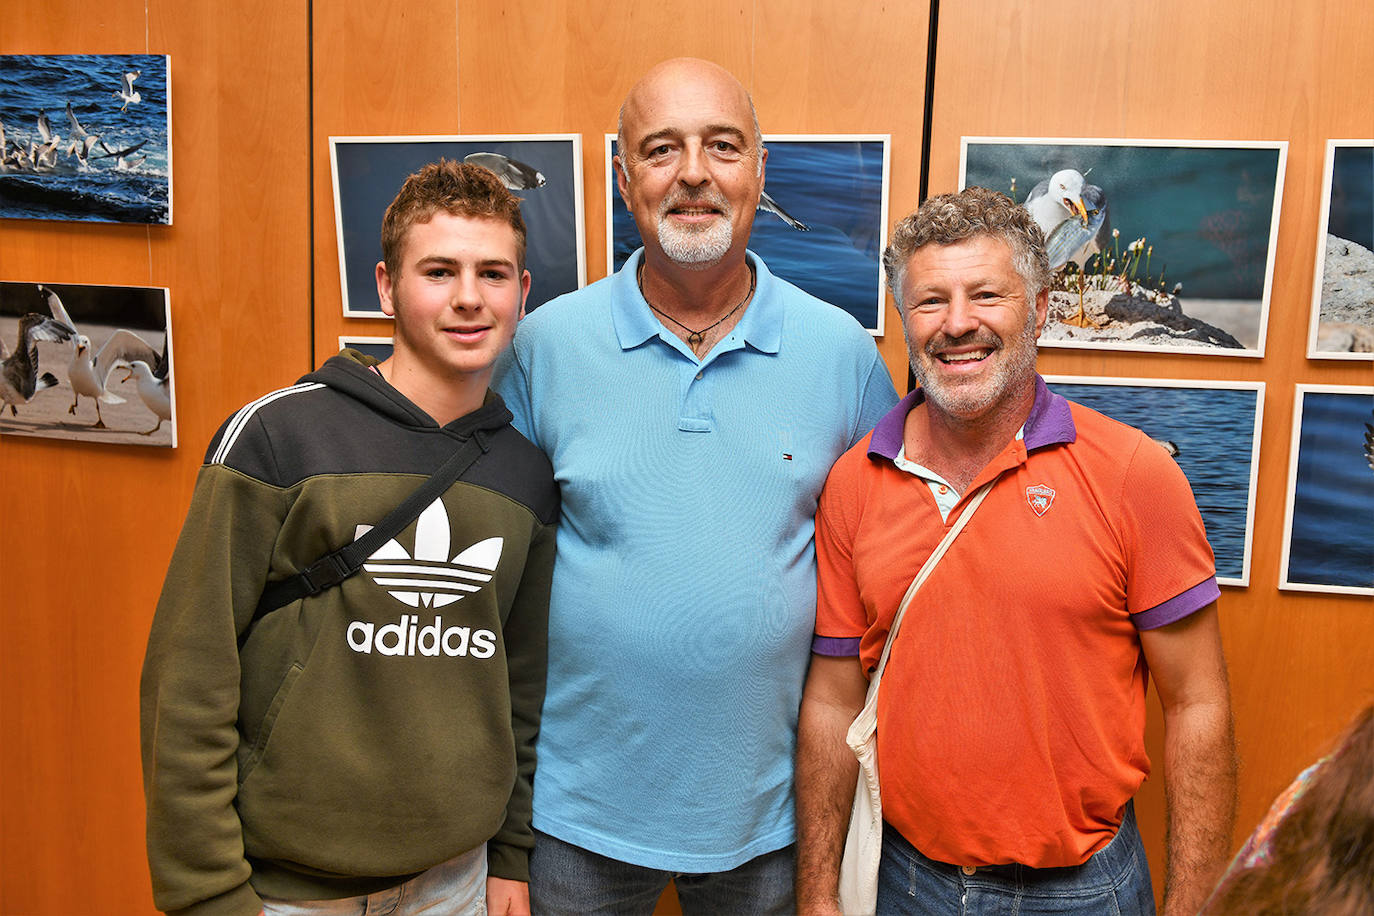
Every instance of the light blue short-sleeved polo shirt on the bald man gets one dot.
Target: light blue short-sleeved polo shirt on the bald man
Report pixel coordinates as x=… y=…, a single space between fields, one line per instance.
x=685 y=590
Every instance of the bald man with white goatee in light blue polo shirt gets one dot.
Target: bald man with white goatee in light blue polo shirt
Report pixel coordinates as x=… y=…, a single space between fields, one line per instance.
x=692 y=404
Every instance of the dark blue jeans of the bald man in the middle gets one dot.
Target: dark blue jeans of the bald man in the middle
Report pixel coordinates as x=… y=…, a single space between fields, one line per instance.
x=570 y=881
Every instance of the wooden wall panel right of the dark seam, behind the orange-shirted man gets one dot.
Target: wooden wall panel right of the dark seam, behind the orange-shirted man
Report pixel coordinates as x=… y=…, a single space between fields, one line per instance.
x=1265 y=71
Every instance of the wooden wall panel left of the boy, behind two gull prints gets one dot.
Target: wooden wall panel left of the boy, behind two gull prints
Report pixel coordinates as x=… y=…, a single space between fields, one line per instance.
x=89 y=529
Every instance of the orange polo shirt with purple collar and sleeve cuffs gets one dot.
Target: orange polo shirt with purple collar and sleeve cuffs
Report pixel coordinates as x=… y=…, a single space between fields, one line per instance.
x=1012 y=713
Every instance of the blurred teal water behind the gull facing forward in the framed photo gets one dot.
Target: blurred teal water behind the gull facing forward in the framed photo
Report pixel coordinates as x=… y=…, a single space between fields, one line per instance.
x=1207 y=211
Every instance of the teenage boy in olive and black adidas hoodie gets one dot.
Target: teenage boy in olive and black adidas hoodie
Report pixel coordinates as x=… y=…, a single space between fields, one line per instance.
x=374 y=742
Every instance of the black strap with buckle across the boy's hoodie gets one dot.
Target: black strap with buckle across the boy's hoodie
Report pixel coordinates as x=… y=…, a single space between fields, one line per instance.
x=335 y=568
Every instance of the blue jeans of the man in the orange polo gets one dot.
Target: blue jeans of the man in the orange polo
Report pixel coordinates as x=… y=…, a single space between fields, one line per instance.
x=1114 y=882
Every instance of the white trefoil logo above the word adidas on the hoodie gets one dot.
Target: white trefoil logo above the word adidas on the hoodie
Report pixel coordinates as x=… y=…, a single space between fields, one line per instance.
x=429 y=579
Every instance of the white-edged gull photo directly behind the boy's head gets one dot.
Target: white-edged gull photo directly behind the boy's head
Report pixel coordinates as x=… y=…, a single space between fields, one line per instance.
x=543 y=170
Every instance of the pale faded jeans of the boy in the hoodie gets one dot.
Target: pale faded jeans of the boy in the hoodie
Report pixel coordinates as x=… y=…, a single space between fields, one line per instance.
x=457 y=888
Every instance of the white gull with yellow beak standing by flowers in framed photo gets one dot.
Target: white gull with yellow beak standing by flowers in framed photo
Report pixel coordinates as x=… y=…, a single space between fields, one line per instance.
x=1074 y=218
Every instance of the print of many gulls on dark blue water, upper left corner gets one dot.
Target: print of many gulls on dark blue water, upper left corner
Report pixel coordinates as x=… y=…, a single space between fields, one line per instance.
x=86 y=138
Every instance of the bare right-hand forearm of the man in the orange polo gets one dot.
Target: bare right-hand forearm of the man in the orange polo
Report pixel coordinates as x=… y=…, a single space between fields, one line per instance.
x=1200 y=789
